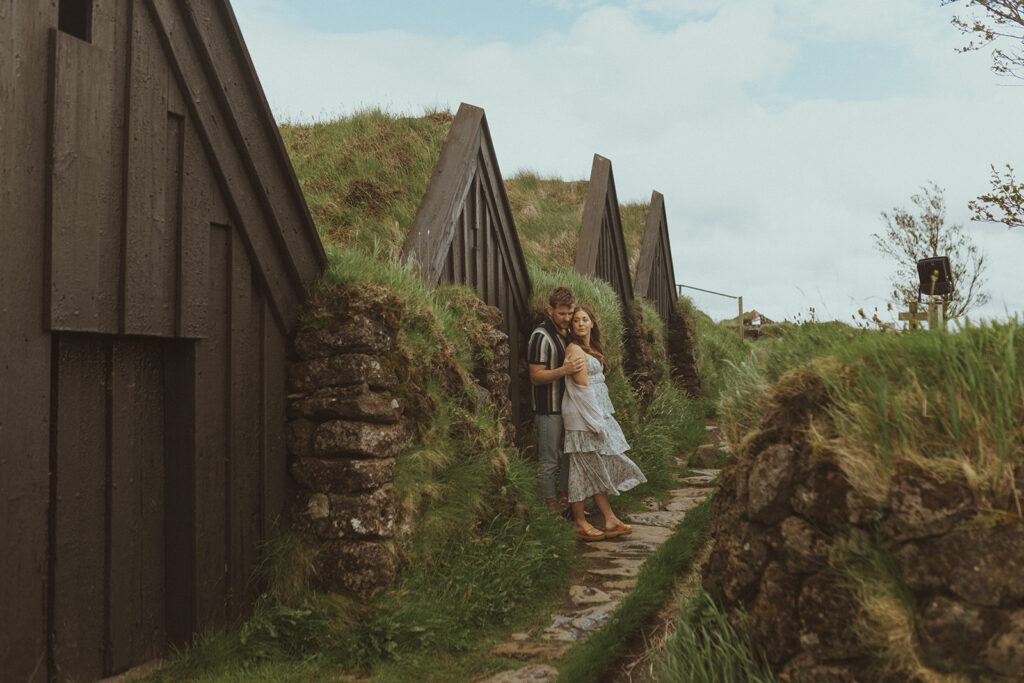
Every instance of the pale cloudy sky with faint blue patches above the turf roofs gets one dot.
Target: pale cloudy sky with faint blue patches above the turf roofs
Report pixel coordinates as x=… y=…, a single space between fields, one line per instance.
x=778 y=131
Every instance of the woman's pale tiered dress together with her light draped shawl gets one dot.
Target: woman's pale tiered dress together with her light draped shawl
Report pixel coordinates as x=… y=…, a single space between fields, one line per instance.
x=594 y=442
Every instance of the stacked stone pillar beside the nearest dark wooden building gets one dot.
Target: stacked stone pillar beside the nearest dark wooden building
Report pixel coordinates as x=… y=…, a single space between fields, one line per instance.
x=346 y=428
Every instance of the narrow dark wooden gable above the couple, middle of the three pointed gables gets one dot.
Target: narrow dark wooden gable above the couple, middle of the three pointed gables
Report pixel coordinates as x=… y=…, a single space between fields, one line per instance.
x=603 y=249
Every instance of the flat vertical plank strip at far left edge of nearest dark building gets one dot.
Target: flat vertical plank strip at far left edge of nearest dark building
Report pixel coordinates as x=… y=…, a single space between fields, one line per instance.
x=25 y=349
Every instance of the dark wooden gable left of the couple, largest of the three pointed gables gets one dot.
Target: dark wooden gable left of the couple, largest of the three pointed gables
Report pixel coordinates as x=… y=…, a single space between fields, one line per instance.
x=464 y=231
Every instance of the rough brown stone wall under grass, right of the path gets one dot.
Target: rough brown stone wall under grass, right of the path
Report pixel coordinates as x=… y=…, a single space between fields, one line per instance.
x=787 y=521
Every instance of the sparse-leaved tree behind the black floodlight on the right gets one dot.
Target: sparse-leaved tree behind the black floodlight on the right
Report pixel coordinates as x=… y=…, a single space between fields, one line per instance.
x=909 y=239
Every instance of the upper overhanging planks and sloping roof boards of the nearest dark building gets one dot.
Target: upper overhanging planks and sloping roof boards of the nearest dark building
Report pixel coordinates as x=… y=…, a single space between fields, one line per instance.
x=133 y=112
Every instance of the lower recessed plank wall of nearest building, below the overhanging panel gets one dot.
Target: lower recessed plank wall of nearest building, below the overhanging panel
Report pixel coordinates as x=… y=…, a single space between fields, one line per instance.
x=158 y=467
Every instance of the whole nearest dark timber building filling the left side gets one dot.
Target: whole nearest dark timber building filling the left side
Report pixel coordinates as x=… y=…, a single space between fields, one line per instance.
x=154 y=250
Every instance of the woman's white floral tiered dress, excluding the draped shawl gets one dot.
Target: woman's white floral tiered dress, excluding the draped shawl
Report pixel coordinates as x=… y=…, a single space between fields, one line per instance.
x=598 y=460
